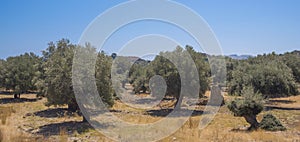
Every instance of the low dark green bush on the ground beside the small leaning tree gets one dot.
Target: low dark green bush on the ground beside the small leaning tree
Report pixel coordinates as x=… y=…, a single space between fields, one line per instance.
x=271 y=123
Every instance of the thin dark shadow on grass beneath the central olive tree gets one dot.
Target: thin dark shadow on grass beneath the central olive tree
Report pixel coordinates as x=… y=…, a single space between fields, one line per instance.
x=166 y=112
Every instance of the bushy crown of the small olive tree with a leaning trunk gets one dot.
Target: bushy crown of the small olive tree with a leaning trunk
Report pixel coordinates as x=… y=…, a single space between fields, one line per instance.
x=250 y=104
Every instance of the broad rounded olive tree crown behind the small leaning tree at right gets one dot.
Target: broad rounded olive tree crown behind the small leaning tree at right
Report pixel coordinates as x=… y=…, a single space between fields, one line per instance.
x=268 y=74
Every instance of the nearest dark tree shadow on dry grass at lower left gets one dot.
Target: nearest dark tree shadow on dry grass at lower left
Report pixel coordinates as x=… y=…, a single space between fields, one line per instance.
x=68 y=127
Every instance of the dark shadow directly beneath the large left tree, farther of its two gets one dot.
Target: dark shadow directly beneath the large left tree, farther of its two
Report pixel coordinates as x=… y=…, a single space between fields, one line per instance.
x=54 y=113
